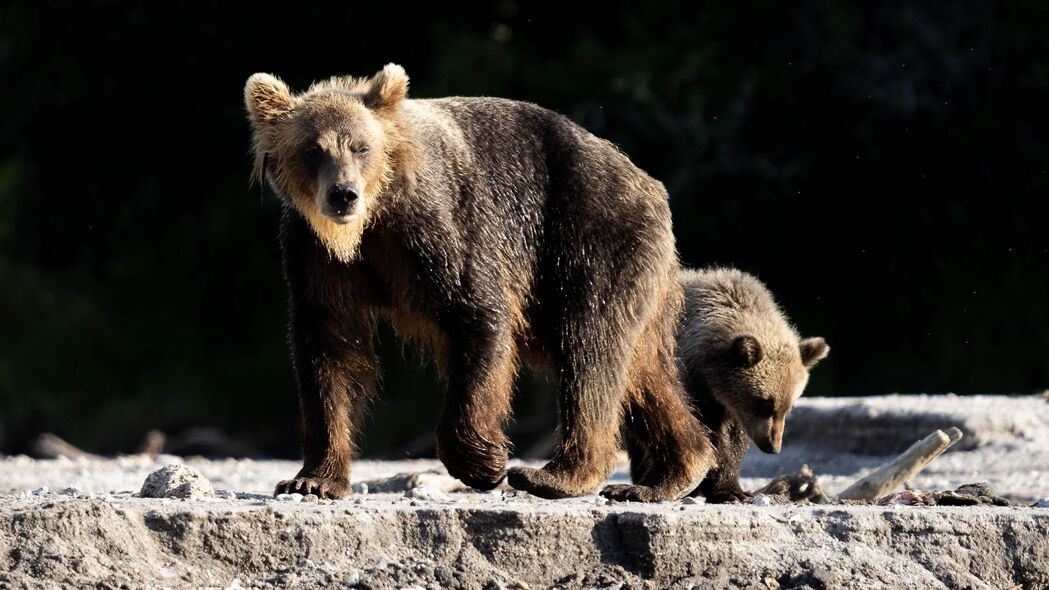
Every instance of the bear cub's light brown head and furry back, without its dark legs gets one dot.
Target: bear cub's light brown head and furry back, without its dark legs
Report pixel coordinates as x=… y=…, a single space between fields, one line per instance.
x=737 y=346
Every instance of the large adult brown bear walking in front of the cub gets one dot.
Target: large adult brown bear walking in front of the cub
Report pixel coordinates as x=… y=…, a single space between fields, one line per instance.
x=487 y=231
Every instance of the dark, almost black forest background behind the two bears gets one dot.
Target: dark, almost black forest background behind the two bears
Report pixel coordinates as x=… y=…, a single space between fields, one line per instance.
x=883 y=168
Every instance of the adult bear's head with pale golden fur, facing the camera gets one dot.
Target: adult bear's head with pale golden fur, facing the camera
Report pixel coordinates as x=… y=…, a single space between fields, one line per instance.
x=332 y=152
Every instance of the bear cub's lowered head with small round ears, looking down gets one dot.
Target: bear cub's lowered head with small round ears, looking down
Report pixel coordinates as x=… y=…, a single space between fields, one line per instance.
x=762 y=377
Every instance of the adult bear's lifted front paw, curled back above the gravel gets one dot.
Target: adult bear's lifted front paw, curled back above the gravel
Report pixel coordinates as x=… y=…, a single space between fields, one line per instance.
x=478 y=461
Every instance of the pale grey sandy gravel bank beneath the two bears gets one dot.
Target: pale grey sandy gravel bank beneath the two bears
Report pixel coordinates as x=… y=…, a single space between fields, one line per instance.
x=89 y=529
